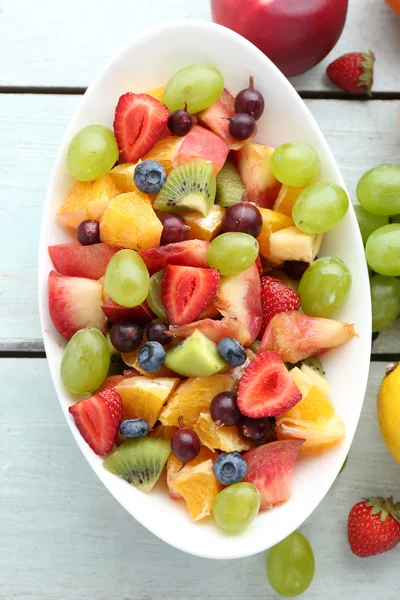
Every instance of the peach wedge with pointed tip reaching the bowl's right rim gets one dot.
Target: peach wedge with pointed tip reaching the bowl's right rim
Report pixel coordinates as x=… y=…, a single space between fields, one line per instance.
x=295 y=336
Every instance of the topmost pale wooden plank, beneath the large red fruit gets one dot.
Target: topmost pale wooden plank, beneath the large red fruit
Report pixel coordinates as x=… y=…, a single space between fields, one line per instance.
x=43 y=46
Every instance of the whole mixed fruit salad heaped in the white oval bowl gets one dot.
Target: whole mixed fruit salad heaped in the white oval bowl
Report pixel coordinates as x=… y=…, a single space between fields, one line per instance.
x=193 y=304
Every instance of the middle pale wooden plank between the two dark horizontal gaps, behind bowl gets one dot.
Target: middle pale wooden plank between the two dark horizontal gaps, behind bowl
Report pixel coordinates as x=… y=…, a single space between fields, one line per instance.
x=361 y=134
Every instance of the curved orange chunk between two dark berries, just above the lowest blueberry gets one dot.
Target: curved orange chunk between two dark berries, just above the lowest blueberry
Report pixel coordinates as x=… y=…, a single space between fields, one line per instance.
x=219 y=438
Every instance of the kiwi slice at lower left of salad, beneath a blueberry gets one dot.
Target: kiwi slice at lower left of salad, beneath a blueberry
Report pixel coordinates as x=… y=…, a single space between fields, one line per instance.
x=140 y=461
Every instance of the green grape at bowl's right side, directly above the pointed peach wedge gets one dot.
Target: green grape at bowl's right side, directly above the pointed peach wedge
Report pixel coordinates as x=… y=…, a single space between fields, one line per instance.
x=324 y=287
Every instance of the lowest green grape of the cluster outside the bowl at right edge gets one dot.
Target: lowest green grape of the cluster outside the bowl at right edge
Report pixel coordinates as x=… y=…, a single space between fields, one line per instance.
x=385 y=298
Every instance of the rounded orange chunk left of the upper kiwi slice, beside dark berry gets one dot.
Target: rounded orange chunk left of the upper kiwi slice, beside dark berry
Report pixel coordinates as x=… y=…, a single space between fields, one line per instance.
x=129 y=221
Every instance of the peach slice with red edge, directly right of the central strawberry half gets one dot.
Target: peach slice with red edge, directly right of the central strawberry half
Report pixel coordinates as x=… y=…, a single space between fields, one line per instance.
x=239 y=297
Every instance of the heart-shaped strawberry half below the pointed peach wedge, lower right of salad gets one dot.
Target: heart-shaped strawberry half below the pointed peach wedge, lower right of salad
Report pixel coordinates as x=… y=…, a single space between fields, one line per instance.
x=266 y=388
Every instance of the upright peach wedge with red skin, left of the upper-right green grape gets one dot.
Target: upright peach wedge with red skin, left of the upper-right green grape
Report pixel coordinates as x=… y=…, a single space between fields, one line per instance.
x=253 y=162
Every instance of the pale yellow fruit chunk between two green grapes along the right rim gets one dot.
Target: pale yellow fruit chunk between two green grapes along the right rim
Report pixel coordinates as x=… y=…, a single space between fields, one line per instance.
x=293 y=244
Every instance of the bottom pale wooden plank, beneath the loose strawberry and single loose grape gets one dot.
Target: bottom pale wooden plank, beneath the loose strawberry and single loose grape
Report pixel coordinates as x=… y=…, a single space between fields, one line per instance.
x=65 y=538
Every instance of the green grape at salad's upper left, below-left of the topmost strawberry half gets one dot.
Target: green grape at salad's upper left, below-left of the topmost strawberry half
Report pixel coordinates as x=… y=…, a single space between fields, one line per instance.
x=92 y=152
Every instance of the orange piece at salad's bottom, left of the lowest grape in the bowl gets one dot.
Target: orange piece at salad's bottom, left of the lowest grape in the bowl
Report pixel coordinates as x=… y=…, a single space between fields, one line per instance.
x=198 y=486
